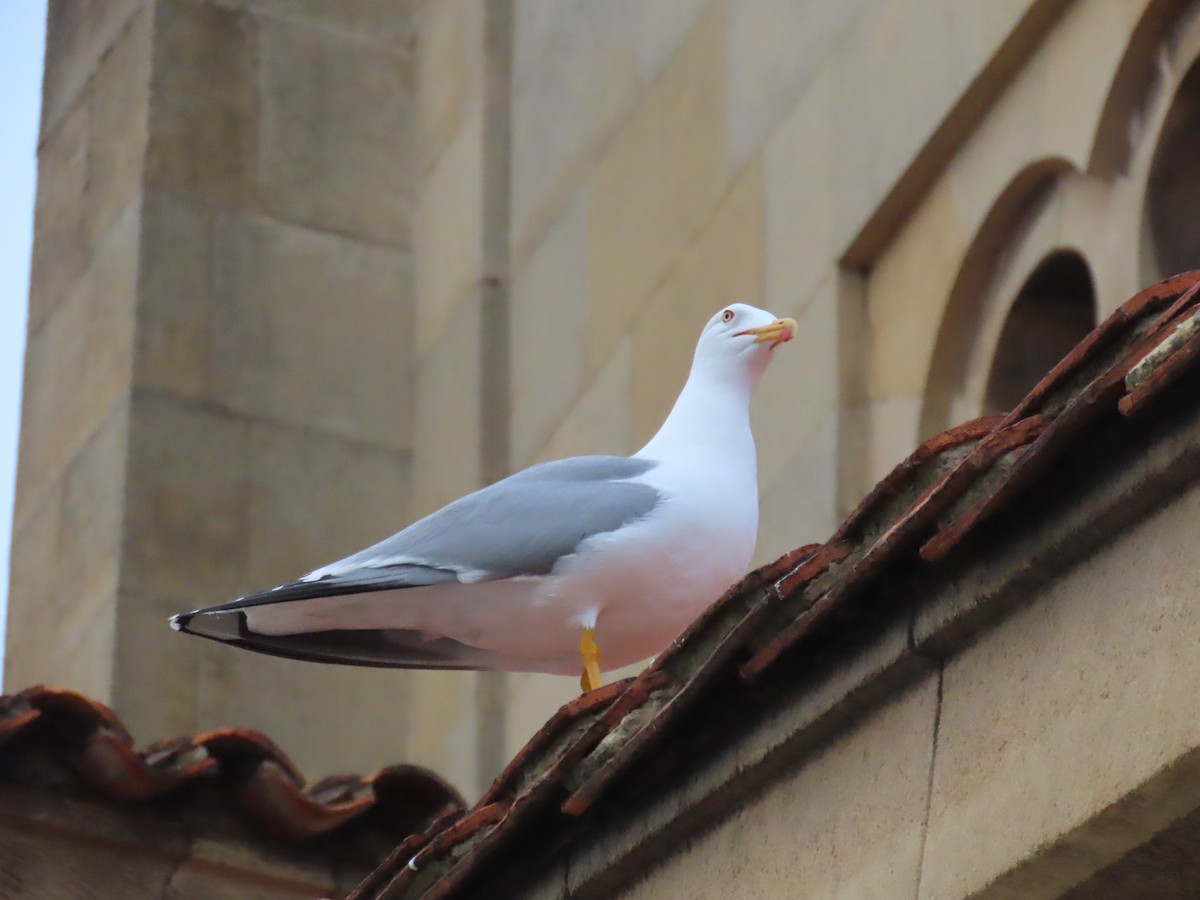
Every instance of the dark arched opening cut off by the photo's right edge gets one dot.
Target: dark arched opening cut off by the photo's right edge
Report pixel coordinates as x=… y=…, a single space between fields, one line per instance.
x=1172 y=213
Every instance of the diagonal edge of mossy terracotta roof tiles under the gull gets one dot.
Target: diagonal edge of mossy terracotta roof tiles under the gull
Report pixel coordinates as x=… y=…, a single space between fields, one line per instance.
x=915 y=517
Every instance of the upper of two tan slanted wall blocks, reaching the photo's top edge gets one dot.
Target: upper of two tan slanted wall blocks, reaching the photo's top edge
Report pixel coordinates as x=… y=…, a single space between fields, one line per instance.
x=658 y=183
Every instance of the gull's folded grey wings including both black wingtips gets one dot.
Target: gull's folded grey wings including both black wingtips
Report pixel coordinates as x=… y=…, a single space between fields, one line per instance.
x=520 y=526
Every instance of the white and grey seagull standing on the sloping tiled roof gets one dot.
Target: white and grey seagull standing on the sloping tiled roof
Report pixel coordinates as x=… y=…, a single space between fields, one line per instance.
x=538 y=572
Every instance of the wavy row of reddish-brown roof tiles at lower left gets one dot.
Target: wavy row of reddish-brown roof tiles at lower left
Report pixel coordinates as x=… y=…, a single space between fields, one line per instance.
x=51 y=728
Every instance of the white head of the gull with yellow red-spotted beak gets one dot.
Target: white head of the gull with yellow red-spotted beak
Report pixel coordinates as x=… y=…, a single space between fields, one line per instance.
x=739 y=343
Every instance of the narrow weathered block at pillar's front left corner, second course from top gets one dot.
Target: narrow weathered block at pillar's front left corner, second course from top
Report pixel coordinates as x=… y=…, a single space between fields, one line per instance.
x=175 y=297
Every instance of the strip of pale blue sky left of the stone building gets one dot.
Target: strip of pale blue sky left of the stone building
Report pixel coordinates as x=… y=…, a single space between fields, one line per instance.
x=22 y=43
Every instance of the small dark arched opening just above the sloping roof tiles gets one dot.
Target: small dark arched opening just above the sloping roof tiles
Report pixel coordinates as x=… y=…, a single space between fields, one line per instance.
x=1054 y=311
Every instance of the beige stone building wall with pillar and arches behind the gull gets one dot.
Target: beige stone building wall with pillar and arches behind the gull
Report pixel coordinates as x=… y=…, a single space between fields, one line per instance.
x=305 y=272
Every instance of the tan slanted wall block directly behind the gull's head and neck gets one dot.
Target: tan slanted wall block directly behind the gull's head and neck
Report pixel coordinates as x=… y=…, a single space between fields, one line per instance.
x=724 y=266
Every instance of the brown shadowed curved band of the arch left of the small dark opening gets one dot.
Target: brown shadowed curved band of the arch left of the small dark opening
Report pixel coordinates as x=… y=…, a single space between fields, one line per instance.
x=1001 y=232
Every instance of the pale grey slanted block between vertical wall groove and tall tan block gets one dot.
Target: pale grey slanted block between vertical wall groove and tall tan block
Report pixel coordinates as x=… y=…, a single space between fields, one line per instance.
x=549 y=333
